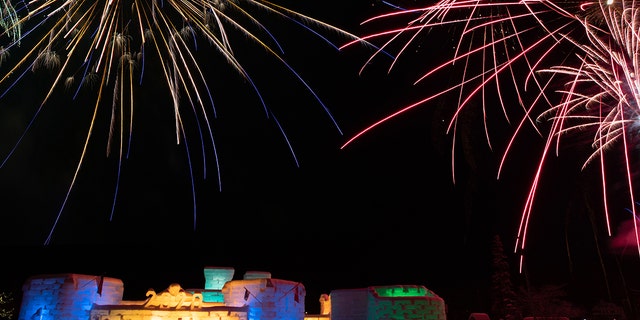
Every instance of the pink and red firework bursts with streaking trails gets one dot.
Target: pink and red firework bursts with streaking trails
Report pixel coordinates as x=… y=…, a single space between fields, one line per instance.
x=590 y=88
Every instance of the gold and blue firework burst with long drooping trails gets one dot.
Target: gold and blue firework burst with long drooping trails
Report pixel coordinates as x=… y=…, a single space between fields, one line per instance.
x=105 y=42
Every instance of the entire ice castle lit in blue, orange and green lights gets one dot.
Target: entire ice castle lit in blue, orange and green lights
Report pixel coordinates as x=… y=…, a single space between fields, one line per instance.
x=255 y=297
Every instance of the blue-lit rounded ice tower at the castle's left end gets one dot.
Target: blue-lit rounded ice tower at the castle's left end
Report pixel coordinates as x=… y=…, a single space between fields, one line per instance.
x=67 y=296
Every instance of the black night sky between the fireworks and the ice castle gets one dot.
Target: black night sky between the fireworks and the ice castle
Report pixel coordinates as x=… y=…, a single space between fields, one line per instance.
x=385 y=210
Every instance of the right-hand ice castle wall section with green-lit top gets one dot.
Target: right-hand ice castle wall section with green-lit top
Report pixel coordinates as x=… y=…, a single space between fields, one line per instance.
x=387 y=302
